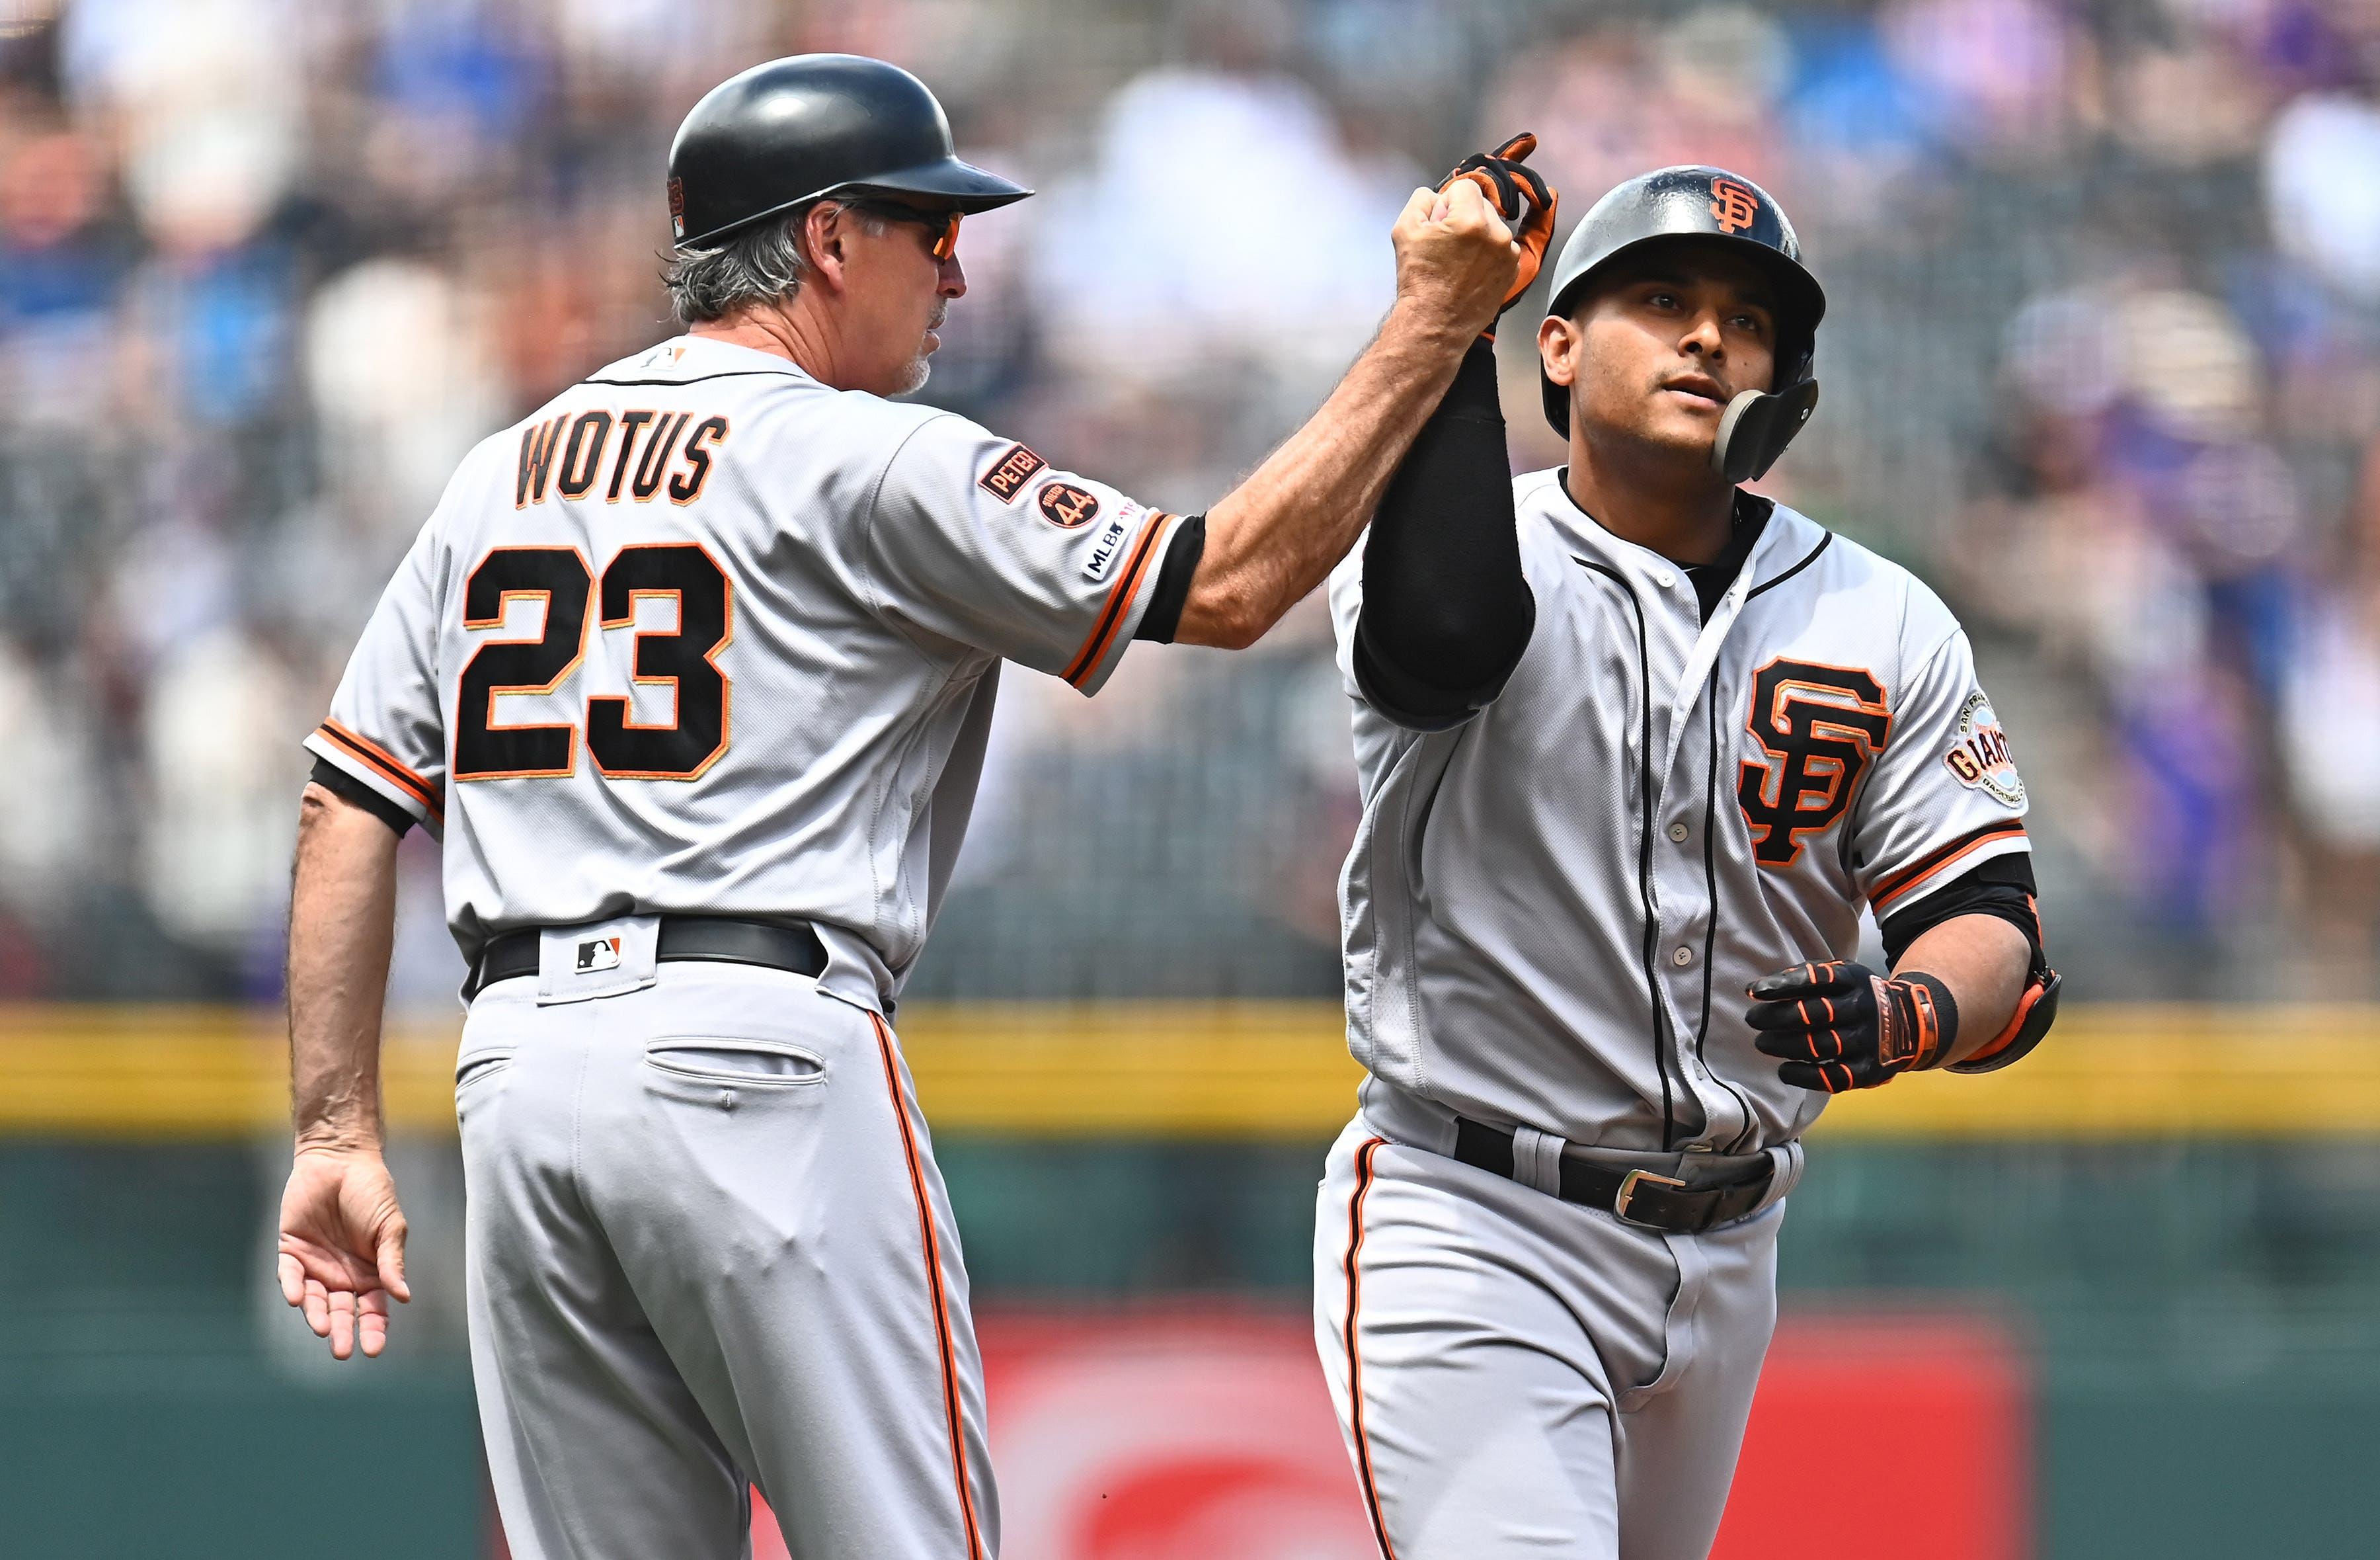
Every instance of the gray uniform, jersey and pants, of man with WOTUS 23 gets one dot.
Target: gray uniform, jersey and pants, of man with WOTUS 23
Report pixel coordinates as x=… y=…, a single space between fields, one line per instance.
x=713 y=637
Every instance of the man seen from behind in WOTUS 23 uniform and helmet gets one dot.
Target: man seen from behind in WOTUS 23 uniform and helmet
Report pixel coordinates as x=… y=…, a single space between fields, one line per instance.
x=694 y=675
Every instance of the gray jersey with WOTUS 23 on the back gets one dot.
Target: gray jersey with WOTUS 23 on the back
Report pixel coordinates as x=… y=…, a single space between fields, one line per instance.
x=706 y=635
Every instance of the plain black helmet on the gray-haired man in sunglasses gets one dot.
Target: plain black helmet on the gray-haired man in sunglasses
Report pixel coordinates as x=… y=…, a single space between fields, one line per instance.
x=798 y=130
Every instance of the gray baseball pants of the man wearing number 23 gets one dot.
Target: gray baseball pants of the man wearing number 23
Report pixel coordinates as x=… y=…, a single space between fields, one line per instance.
x=708 y=1247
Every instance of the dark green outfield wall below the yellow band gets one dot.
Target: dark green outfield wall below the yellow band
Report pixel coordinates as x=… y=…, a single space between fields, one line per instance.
x=2200 y=1313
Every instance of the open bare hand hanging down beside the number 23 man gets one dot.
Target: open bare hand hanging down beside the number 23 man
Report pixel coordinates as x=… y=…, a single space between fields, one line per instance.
x=344 y=1247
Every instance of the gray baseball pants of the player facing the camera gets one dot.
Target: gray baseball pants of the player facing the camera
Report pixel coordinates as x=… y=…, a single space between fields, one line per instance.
x=1520 y=1375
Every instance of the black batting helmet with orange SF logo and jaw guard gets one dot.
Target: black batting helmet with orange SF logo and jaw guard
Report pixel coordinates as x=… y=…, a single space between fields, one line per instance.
x=1727 y=208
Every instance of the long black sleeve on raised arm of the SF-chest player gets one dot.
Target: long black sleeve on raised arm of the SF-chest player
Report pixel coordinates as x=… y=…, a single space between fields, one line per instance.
x=1446 y=606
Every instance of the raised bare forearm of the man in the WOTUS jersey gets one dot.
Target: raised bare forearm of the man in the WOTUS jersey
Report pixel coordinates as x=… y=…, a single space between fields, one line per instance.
x=1282 y=532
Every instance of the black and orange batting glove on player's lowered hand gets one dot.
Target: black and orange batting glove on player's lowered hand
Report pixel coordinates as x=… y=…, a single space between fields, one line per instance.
x=1841 y=1025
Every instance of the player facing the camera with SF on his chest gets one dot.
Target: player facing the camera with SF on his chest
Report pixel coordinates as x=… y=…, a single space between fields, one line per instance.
x=1634 y=744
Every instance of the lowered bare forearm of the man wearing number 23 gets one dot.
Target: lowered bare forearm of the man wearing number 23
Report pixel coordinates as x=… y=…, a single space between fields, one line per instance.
x=342 y=923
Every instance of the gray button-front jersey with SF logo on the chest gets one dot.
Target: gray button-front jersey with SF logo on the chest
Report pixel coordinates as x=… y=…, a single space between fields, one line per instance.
x=1553 y=909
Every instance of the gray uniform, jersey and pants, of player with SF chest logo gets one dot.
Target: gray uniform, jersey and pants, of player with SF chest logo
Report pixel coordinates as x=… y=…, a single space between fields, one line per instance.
x=1553 y=911
